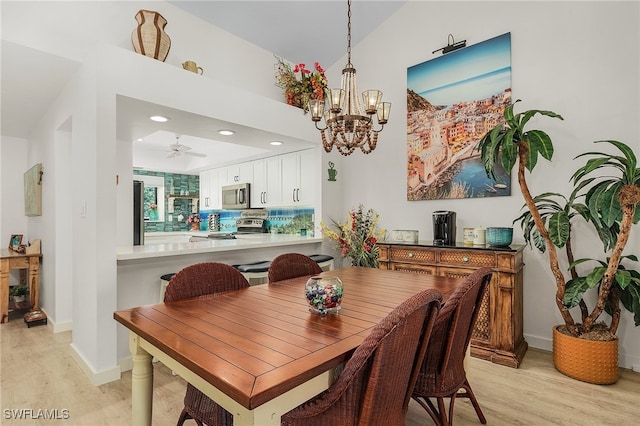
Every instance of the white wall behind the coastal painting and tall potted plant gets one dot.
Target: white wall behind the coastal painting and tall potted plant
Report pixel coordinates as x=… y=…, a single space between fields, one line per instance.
x=579 y=59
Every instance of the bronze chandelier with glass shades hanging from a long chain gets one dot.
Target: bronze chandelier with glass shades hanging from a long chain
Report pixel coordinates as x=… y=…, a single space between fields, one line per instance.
x=347 y=125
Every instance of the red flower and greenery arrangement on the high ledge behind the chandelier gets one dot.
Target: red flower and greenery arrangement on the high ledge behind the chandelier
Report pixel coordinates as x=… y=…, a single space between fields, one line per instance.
x=299 y=89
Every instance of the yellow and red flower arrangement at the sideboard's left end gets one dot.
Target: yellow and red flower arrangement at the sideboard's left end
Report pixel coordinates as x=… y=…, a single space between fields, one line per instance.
x=357 y=236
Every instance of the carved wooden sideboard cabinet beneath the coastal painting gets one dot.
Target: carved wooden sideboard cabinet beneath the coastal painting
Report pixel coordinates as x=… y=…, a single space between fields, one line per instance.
x=498 y=333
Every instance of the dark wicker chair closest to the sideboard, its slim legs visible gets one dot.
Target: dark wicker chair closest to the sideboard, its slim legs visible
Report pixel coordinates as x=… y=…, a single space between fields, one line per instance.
x=442 y=373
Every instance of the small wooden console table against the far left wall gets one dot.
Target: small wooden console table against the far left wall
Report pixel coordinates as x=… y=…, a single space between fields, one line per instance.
x=12 y=260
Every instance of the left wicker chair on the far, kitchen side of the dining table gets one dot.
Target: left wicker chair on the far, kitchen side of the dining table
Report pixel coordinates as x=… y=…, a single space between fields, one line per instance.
x=199 y=280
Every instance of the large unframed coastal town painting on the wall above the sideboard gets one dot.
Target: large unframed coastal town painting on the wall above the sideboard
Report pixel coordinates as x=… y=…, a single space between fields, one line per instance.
x=452 y=101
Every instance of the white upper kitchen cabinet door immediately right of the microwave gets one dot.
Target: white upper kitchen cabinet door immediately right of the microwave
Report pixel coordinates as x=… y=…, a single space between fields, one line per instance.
x=266 y=190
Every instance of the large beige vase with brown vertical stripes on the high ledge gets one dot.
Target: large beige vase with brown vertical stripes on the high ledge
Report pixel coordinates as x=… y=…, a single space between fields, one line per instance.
x=149 y=38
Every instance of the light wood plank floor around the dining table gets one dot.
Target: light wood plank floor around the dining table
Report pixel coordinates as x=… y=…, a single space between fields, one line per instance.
x=38 y=372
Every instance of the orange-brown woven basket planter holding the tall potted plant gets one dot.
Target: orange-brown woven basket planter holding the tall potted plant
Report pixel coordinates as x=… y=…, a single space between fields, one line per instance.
x=585 y=360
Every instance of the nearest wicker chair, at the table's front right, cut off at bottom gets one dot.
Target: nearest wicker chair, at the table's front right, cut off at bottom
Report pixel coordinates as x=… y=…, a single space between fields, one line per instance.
x=375 y=386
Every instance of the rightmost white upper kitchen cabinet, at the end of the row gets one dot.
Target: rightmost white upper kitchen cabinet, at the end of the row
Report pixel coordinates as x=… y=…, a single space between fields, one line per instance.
x=299 y=177
